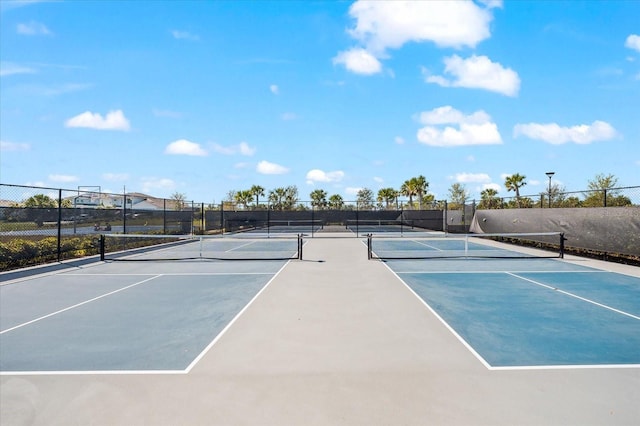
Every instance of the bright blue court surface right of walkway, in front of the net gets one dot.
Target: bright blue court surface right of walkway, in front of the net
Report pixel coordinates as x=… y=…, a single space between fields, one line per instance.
x=532 y=312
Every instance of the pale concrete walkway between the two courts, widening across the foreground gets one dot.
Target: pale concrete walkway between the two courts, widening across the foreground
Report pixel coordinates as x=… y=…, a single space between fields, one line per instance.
x=334 y=339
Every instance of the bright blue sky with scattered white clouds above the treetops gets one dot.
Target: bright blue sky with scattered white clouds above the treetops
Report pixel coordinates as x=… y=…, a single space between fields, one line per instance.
x=206 y=97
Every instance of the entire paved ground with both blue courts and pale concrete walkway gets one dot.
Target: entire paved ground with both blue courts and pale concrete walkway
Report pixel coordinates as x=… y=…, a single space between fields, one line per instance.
x=332 y=338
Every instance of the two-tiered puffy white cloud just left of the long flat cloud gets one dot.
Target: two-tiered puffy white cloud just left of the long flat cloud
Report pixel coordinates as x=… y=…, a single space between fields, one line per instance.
x=474 y=129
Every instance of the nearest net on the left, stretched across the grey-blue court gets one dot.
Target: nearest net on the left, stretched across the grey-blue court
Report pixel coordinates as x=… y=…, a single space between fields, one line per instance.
x=134 y=247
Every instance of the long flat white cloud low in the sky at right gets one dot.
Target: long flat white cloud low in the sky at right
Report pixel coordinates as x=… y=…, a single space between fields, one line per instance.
x=555 y=134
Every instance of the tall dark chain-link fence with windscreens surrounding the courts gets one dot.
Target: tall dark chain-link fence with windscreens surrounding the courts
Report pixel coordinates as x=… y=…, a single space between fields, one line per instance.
x=40 y=225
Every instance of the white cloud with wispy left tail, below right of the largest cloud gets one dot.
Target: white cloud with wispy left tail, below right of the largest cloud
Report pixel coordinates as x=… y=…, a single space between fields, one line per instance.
x=477 y=72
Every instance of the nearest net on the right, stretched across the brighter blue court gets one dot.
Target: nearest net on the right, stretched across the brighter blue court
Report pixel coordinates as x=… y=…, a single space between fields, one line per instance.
x=451 y=246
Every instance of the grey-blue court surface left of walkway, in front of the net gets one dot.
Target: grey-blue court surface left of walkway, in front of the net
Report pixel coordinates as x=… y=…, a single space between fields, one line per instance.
x=158 y=317
